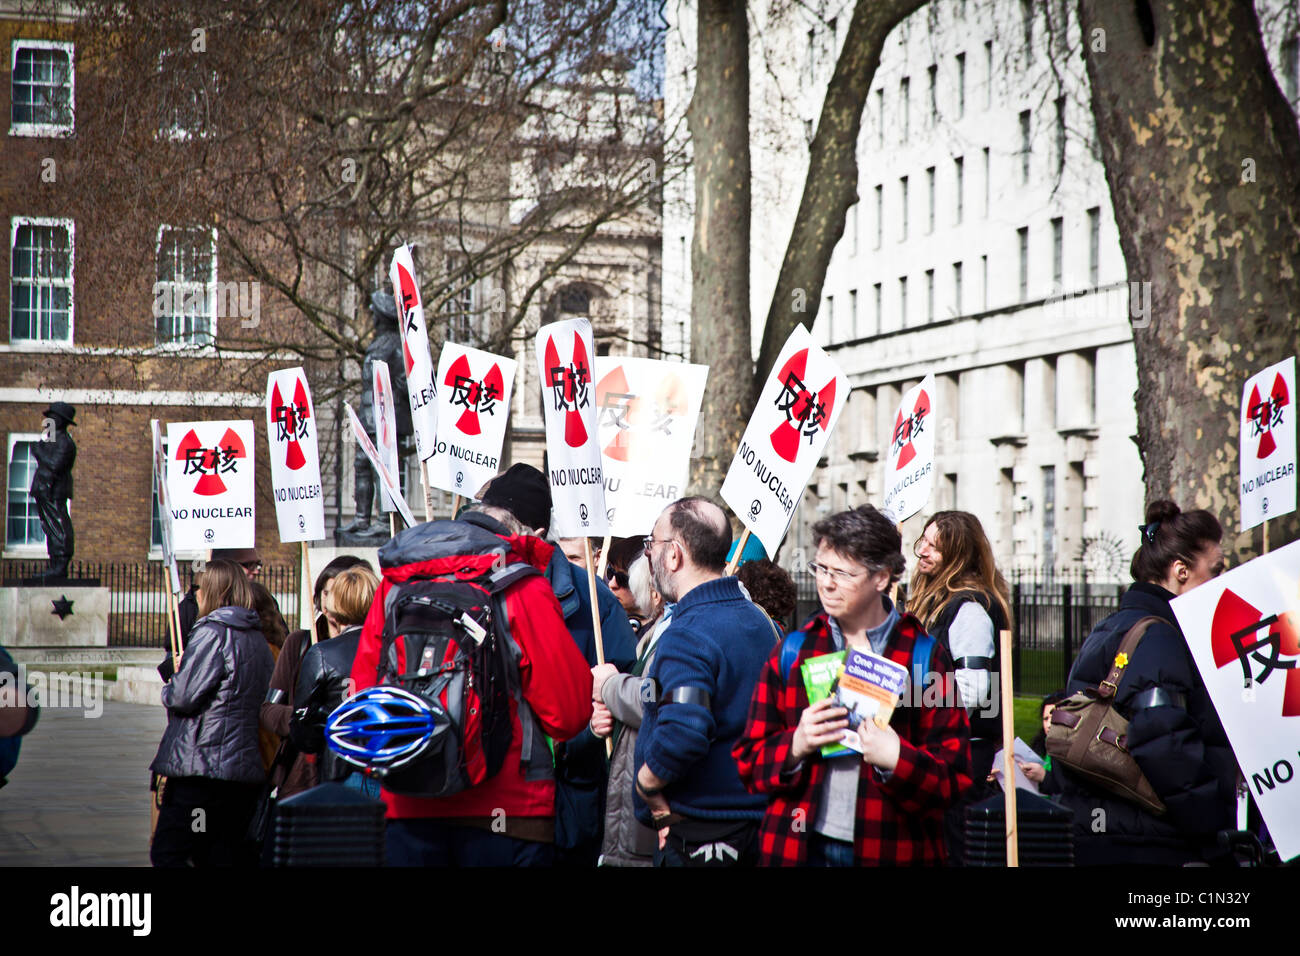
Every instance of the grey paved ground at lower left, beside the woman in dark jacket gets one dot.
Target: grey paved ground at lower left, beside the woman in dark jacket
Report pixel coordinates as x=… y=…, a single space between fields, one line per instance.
x=80 y=795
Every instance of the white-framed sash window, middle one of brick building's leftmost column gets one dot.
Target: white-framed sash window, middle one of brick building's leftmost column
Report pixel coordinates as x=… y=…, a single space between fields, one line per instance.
x=41 y=280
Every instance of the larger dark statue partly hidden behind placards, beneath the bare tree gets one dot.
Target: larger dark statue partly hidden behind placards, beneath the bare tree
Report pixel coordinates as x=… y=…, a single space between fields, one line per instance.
x=387 y=348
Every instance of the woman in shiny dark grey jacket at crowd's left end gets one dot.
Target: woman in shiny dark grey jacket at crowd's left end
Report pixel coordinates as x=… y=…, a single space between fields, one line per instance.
x=210 y=750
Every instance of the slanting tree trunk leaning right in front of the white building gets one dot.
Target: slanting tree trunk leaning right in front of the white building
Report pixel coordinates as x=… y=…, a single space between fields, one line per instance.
x=831 y=187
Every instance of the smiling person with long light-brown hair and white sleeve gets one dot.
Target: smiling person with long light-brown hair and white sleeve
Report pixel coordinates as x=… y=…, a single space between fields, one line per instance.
x=963 y=600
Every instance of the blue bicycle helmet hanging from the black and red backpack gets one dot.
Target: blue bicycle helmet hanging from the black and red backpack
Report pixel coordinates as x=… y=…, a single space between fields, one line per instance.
x=384 y=728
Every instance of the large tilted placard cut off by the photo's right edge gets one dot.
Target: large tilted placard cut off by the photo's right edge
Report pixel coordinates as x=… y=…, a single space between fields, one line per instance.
x=1243 y=629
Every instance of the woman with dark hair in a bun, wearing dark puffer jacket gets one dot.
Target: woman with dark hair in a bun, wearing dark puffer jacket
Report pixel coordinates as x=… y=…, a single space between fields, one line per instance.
x=1175 y=734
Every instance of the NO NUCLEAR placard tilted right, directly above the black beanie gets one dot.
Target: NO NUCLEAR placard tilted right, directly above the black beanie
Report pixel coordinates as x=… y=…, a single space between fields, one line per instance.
x=474 y=405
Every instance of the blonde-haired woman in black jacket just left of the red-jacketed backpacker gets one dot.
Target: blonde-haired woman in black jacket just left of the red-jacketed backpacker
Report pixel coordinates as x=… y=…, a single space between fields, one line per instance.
x=323 y=681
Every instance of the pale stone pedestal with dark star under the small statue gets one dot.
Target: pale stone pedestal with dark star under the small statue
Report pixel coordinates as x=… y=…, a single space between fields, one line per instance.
x=63 y=616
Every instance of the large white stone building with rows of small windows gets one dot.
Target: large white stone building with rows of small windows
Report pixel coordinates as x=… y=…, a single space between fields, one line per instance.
x=982 y=249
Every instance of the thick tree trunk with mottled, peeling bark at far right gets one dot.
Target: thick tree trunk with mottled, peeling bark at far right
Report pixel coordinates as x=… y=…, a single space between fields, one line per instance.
x=1202 y=153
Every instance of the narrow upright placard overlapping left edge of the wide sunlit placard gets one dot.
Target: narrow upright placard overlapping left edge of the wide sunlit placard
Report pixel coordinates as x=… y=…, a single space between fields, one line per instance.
x=573 y=448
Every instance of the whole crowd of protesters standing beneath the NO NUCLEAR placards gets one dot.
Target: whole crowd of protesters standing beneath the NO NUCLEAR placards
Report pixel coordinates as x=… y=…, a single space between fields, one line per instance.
x=692 y=741
